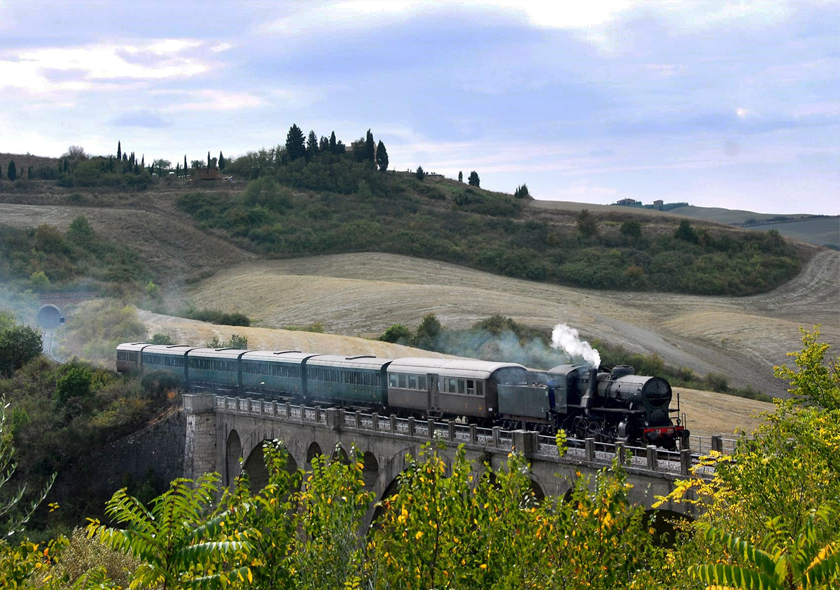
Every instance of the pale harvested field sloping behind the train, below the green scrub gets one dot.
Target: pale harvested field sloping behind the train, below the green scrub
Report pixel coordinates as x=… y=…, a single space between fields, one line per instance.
x=365 y=293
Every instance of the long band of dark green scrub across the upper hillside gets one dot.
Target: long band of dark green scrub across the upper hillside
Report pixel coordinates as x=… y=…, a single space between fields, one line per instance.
x=351 y=208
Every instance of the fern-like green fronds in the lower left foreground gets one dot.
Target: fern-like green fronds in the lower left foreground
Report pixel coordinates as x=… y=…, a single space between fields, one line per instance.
x=180 y=539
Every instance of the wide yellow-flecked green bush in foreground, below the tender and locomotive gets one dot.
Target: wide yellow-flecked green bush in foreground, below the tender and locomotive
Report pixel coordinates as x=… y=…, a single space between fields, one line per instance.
x=451 y=526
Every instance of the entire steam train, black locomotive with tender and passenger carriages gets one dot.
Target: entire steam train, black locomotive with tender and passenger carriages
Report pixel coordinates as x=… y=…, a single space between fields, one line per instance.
x=610 y=406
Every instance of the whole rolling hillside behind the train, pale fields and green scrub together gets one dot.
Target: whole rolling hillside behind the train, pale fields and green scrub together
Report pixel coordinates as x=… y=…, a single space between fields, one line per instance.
x=214 y=247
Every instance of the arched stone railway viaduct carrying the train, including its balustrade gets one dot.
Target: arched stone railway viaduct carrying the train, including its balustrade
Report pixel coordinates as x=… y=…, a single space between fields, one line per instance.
x=225 y=434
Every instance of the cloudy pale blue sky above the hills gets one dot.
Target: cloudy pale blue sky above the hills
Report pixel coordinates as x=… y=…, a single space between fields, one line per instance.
x=731 y=104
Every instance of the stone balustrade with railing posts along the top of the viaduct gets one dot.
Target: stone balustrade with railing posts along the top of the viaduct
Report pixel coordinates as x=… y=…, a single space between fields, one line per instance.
x=651 y=461
